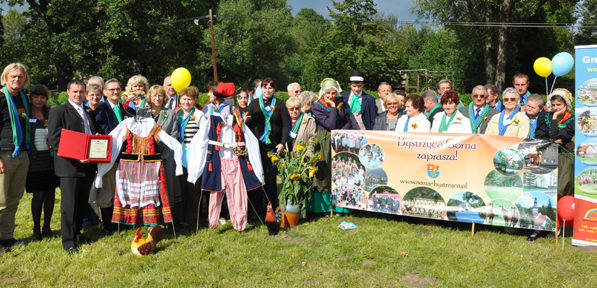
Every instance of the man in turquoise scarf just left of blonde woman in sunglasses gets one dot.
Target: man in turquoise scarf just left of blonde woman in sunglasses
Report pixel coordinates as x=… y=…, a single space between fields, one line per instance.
x=478 y=112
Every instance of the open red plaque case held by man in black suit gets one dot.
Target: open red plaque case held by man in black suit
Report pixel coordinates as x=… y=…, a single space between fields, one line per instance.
x=75 y=145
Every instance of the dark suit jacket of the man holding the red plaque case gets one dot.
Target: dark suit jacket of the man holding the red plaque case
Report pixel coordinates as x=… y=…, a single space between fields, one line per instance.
x=66 y=117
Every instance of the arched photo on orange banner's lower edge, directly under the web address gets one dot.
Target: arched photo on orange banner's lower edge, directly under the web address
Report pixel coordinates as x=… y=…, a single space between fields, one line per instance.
x=424 y=202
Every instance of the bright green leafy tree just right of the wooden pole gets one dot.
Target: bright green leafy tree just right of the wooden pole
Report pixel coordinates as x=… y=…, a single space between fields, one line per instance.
x=249 y=48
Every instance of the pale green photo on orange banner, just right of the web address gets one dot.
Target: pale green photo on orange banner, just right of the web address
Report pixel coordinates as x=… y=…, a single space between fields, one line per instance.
x=500 y=186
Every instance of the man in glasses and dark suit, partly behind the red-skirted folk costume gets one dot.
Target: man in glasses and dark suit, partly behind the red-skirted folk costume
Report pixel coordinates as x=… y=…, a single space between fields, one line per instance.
x=107 y=116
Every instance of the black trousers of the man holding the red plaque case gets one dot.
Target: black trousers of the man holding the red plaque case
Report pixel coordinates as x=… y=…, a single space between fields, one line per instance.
x=75 y=194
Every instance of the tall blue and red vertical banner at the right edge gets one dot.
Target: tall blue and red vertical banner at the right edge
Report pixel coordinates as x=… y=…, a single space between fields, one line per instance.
x=585 y=164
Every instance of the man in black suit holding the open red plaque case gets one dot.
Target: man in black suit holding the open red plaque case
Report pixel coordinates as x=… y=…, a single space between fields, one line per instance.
x=76 y=176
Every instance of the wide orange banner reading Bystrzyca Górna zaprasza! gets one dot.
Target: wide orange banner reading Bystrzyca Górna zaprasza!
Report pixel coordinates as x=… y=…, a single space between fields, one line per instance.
x=493 y=180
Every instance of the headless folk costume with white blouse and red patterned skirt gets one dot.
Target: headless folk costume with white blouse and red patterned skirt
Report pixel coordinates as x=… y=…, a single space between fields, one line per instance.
x=141 y=188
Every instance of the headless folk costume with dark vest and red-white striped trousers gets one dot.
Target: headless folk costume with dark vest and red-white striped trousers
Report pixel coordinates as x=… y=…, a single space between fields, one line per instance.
x=227 y=154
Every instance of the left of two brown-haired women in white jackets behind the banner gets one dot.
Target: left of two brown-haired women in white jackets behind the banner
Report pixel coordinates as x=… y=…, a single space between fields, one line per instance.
x=414 y=120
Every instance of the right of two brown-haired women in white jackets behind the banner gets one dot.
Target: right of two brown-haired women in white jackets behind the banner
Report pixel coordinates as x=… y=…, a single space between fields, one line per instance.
x=450 y=120
